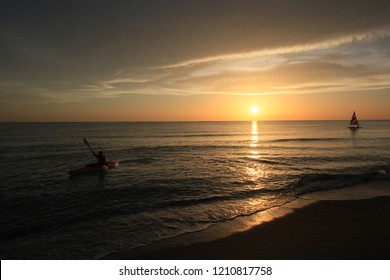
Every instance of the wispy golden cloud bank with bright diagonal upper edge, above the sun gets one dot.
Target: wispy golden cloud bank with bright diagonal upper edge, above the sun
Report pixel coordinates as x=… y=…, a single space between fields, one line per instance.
x=349 y=63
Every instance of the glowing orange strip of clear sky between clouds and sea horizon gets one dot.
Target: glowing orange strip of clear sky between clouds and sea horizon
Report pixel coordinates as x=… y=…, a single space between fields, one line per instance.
x=206 y=108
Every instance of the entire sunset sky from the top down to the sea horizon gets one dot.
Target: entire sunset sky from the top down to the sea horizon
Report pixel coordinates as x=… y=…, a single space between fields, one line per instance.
x=176 y=60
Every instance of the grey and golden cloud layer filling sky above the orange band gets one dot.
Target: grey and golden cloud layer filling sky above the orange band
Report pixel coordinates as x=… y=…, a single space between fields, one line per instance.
x=72 y=50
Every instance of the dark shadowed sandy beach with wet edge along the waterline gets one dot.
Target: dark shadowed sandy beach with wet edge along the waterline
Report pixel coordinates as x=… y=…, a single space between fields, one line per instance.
x=351 y=223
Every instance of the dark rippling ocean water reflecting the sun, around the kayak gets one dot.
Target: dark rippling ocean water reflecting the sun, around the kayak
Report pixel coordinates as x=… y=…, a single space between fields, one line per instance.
x=174 y=178
